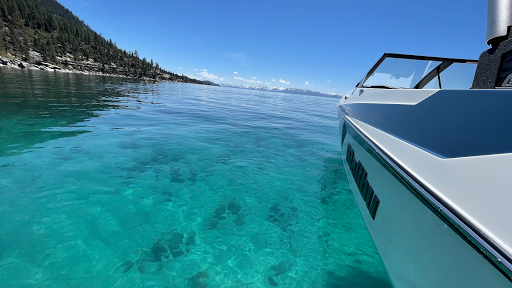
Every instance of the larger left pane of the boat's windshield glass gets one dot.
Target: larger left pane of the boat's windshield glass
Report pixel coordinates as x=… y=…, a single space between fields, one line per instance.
x=400 y=73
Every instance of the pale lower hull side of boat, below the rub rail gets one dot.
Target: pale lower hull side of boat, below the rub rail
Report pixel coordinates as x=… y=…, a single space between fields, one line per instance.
x=418 y=245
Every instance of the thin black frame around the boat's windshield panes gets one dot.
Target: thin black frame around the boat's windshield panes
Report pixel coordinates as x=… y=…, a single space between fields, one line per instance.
x=445 y=63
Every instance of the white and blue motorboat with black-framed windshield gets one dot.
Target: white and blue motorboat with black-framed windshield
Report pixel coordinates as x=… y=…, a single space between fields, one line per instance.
x=427 y=148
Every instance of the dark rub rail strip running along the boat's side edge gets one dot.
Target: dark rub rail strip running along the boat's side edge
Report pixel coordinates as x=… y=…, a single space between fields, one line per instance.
x=494 y=254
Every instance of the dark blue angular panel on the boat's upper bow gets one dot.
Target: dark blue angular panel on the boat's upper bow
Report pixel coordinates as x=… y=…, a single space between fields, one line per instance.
x=449 y=123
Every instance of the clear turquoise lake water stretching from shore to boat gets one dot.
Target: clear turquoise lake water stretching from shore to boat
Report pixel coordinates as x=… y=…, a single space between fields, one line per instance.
x=108 y=182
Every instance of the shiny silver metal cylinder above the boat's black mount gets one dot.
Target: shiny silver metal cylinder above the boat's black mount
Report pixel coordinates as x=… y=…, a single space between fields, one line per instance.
x=499 y=20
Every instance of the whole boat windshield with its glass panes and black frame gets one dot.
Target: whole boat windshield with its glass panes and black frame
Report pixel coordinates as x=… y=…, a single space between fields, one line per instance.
x=407 y=71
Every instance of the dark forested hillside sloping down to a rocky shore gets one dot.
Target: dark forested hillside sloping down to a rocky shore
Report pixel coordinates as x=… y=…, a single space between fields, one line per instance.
x=44 y=31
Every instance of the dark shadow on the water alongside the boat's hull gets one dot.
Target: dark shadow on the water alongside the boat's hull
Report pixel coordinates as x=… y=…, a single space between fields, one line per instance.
x=346 y=241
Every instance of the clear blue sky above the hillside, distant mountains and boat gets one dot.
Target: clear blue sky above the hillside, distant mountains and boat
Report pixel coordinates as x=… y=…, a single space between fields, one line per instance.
x=319 y=45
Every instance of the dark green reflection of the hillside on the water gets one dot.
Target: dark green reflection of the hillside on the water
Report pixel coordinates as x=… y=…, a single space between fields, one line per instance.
x=39 y=106
